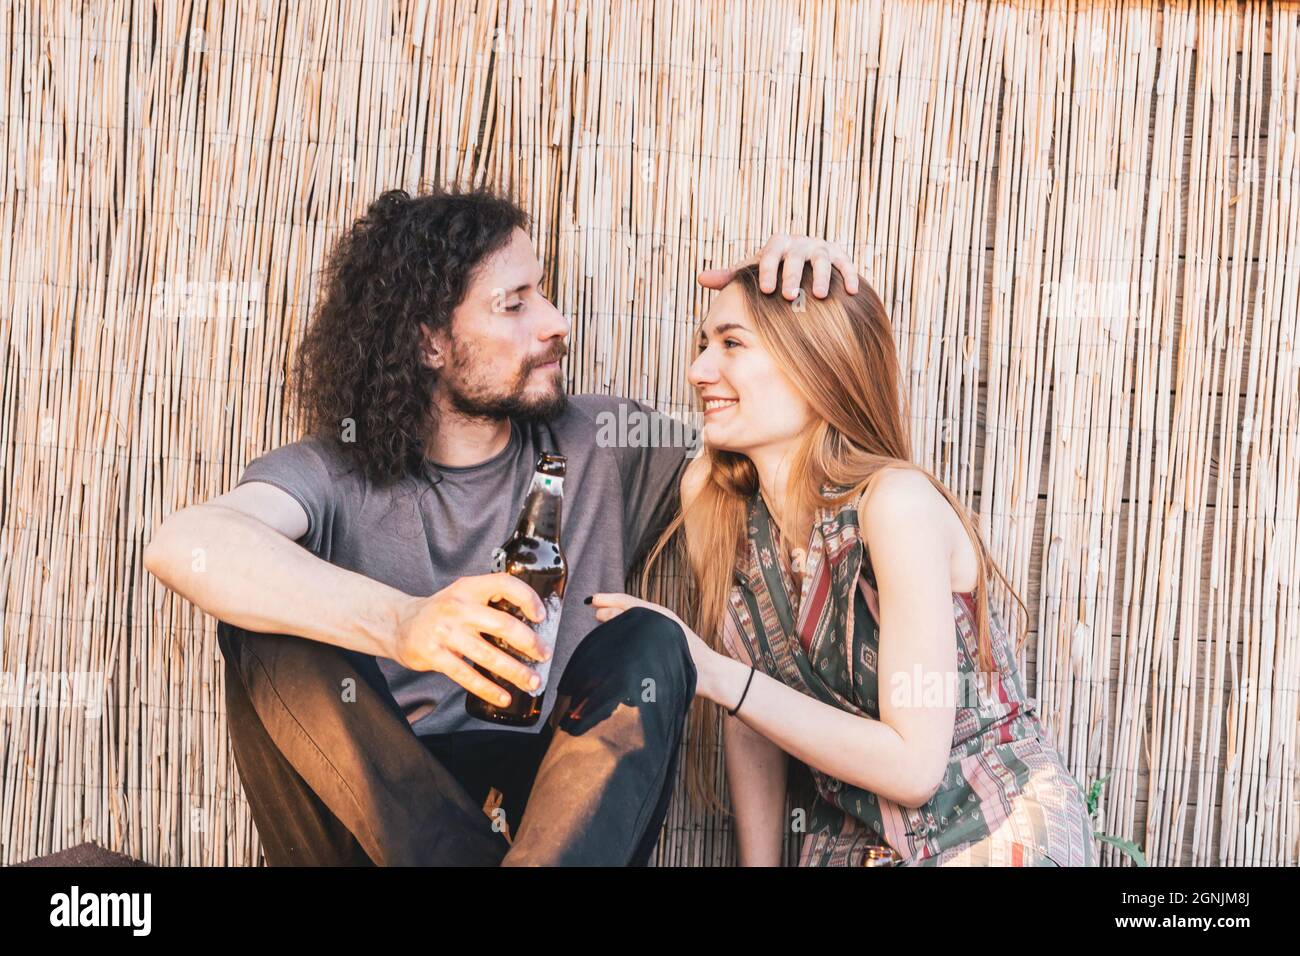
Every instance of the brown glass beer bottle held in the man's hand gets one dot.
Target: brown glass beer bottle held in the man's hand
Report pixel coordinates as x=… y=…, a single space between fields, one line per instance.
x=532 y=555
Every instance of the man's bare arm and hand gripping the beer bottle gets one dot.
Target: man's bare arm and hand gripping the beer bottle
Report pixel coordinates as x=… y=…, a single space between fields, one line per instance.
x=236 y=559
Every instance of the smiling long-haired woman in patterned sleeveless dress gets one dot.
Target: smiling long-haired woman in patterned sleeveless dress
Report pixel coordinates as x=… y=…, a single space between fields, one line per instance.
x=842 y=592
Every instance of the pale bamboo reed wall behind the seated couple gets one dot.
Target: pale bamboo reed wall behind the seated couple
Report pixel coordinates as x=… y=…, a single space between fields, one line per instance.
x=1085 y=220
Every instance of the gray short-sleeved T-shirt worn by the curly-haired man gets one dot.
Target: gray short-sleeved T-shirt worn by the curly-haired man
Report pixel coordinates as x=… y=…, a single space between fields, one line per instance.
x=426 y=531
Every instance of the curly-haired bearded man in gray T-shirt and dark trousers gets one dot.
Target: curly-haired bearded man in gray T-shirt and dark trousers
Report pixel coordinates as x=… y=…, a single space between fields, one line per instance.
x=348 y=570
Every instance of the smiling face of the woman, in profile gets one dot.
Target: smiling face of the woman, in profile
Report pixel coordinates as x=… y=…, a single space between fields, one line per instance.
x=748 y=403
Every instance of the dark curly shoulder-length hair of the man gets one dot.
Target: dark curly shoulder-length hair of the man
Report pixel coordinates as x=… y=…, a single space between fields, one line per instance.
x=406 y=263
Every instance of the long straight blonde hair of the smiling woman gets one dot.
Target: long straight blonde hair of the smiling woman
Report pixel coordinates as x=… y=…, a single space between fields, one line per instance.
x=839 y=353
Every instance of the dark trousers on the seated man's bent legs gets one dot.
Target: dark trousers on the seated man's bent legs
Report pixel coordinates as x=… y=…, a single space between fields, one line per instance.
x=336 y=776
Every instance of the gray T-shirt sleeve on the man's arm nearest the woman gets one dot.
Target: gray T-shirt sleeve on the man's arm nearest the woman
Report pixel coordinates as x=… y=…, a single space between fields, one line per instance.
x=652 y=479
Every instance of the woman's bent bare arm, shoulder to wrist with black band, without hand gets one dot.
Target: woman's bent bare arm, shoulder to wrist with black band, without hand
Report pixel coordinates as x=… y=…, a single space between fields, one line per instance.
x=903 y=756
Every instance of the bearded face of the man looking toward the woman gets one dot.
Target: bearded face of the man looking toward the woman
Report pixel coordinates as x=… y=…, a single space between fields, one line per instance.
x=502 y=358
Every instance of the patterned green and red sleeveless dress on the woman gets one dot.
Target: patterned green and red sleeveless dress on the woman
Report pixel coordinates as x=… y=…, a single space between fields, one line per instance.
x=1007 y=798
